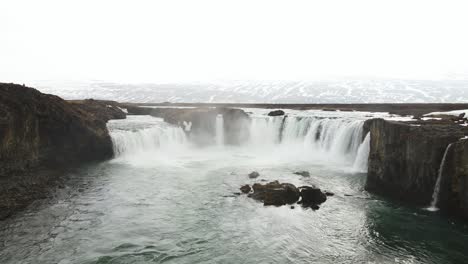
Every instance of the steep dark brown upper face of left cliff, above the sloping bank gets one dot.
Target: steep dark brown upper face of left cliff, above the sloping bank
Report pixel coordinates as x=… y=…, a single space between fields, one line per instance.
x=40 y=129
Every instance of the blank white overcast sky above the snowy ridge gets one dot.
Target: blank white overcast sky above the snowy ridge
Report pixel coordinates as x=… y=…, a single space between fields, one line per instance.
x=196 y=40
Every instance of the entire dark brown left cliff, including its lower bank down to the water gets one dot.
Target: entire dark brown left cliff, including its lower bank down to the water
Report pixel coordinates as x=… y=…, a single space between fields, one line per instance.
x=41 y=133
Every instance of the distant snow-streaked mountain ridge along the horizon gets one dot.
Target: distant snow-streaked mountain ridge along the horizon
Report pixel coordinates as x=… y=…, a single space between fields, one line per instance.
x=353 y=91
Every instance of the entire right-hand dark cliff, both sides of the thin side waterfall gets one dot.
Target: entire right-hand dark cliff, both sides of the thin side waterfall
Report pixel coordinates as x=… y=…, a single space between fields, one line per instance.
x=405 y=160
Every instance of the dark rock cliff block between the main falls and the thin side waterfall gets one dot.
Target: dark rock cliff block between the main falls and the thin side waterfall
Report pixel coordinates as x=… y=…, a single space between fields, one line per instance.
x=404 y=158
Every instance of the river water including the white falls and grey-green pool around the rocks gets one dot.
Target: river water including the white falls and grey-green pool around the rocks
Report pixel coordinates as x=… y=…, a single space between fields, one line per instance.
x=163 y=199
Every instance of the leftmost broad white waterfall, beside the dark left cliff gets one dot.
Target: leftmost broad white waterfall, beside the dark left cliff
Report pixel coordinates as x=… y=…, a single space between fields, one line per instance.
x=128 y=142
